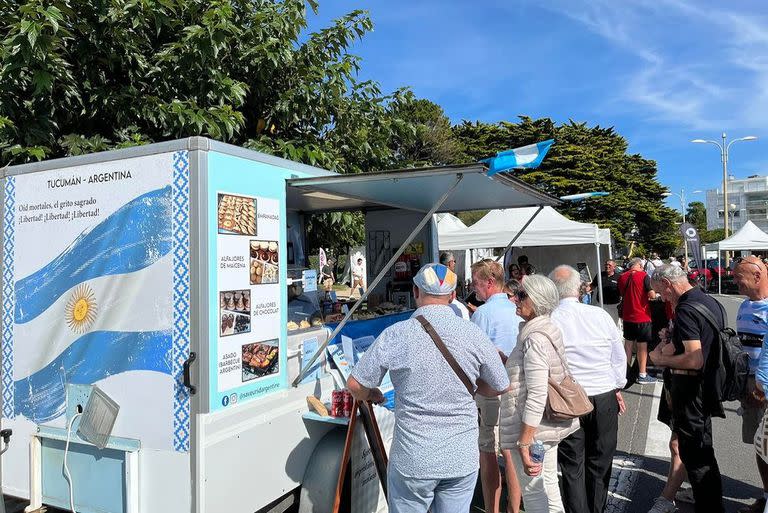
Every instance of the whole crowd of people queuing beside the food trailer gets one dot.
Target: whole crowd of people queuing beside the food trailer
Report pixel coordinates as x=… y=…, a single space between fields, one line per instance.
x=474 y=385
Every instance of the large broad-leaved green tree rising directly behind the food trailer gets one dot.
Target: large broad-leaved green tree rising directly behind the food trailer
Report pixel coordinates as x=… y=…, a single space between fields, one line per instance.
x=79 y=76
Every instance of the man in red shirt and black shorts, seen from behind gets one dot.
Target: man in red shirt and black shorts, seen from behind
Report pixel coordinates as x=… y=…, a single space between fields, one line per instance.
x=636 y=292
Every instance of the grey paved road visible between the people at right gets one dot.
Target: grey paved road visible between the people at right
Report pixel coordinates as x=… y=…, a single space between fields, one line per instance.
x=643 y=459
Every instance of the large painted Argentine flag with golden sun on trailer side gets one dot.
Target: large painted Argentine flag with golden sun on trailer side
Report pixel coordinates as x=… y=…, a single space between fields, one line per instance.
x=101 y=307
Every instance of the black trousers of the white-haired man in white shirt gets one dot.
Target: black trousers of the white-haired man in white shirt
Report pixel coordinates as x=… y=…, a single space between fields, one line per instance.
x=586 y=457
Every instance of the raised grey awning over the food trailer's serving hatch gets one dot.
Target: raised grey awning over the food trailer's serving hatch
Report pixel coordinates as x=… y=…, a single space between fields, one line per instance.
x=415 y=189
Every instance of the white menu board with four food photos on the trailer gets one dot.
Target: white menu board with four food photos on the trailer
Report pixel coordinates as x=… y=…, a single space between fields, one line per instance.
x=248 y=256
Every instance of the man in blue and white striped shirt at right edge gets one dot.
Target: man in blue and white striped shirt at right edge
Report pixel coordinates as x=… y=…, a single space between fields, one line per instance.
x=751 y=276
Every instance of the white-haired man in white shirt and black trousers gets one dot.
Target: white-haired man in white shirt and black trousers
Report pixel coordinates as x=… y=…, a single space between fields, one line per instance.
x=594 y=349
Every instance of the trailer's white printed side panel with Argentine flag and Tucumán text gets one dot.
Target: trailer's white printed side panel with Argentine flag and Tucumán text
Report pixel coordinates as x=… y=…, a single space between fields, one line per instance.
x=100 y=293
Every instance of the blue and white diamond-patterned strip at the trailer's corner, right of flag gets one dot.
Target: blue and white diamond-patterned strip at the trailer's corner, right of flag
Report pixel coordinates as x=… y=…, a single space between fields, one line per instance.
x=180 y=230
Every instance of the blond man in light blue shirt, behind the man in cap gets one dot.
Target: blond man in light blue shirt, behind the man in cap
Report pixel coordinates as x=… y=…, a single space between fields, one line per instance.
x=499 y=320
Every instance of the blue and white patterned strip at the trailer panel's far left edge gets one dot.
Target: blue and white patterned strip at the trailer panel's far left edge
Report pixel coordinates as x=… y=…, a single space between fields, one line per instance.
x=9 y=303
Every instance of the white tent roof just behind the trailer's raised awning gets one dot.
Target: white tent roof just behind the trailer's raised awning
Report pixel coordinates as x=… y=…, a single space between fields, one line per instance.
x=499 y=227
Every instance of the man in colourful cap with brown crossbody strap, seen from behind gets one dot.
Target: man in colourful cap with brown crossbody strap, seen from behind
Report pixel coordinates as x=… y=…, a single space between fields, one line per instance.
x=433 y=460
